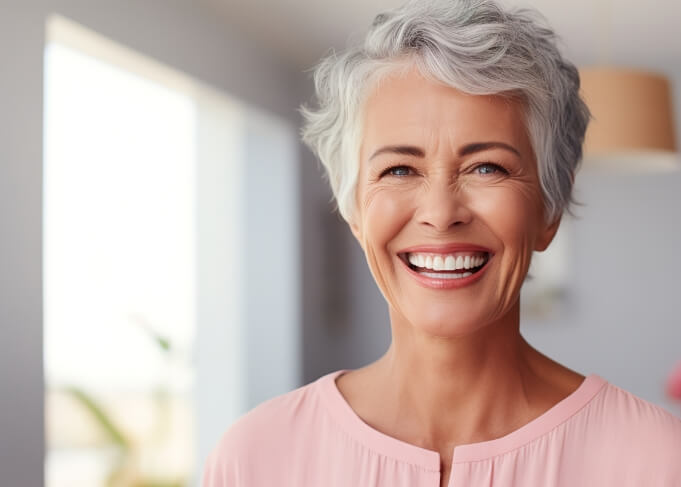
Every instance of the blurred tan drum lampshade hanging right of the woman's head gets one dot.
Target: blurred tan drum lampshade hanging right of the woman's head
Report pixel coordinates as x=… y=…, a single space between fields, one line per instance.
x=632 y=115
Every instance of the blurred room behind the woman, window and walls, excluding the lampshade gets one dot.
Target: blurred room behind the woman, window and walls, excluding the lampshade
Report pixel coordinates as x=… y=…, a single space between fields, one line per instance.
x=169 y=253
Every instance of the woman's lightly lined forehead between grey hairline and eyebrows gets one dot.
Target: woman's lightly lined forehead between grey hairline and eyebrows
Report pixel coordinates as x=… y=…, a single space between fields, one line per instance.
x=410 y=108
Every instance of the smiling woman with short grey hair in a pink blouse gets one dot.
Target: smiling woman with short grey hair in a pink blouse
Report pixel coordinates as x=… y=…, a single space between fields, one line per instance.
x=451 y=140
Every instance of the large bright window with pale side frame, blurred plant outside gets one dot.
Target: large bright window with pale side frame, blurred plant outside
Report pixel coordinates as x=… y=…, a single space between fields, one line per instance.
x=164 y=204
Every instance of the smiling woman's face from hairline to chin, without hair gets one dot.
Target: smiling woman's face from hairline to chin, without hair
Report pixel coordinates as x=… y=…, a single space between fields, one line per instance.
x=449 y=204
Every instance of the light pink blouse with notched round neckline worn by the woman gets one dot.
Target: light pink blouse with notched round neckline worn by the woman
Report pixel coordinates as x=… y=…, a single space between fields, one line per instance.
x=600 y=435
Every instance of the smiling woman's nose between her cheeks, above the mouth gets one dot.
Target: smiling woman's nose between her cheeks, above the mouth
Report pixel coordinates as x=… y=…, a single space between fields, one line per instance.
x=442 y=206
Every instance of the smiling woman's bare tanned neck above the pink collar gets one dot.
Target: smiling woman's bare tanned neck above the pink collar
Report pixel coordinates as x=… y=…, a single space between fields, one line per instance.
x=463 y=389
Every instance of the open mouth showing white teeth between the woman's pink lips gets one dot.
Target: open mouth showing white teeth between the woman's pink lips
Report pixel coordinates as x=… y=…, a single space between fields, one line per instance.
x=448 y=266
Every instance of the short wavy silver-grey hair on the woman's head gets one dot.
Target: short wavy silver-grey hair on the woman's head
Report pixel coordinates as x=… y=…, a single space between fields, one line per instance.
x=475 y=46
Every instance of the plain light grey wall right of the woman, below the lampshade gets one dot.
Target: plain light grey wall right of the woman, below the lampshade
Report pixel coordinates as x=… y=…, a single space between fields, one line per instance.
x=623 y=319
